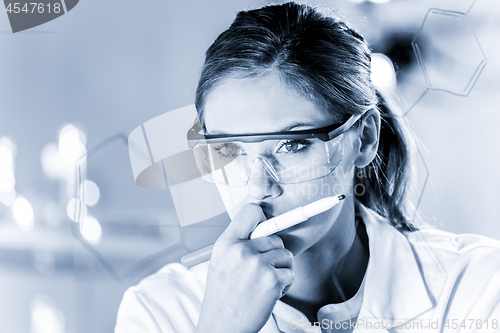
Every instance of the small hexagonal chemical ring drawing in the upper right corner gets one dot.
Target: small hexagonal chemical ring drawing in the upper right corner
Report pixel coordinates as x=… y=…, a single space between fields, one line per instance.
x=448 y=52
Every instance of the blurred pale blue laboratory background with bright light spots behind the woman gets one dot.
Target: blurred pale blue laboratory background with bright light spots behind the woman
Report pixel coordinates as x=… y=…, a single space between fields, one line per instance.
x=80 y=84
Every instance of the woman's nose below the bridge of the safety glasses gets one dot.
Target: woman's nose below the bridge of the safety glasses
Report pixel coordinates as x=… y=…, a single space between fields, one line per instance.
x=262 y=183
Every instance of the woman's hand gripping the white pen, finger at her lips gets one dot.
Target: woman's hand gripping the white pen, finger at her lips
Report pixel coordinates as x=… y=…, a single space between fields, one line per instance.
x=246 y=277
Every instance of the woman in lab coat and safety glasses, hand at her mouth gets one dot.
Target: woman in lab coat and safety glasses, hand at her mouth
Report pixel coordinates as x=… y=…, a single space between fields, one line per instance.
x=285 y=70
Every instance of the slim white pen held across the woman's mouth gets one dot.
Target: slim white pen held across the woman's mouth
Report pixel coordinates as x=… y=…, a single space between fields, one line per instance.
x=271 y=226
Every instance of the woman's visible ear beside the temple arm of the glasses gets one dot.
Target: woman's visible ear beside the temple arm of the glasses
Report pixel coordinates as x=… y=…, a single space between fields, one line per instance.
x=369 y=132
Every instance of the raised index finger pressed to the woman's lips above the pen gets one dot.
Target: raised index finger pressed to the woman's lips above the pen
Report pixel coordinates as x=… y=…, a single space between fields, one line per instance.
x=245 y=221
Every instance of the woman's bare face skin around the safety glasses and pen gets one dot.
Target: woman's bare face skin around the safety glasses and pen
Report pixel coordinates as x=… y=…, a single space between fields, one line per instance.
x=258 y=105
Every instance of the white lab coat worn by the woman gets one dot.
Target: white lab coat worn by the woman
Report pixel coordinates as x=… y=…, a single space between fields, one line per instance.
x=423 y=281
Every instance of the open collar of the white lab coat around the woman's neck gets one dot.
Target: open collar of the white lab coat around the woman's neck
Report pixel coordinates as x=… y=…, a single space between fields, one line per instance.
x=394 y=289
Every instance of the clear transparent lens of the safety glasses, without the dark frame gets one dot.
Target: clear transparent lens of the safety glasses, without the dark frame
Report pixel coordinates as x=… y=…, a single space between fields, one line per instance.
x=287 y=161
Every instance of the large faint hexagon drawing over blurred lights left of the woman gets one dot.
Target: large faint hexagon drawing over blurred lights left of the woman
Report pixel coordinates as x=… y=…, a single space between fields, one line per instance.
x=140 y=230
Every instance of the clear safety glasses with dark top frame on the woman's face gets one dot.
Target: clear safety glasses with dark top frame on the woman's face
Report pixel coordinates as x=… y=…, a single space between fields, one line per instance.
x=288 y=157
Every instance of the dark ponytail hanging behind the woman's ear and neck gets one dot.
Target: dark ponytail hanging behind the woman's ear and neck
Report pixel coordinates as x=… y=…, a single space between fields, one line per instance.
x=386 y=180
